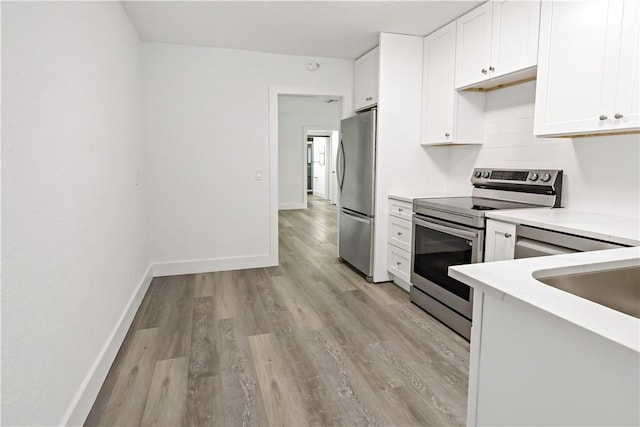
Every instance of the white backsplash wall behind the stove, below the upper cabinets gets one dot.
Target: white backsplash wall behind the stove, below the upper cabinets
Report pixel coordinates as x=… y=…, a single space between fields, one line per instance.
x=601 y=174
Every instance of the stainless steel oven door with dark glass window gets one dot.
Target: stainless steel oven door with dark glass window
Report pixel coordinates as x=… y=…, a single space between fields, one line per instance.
x=436 y=246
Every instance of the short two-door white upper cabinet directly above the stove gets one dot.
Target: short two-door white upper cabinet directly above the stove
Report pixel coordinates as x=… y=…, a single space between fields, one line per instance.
x=497 y=43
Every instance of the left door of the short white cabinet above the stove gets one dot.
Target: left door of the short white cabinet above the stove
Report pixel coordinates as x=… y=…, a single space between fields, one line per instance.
x=473 y=46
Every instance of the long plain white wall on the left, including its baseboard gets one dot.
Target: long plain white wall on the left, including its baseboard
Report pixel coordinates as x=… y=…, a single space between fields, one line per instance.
x=73 y=242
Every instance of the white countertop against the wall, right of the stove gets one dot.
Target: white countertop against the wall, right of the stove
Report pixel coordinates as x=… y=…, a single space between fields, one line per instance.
x=612 y=228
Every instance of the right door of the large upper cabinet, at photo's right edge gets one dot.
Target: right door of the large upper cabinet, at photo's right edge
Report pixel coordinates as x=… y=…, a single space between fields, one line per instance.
x=626 y=114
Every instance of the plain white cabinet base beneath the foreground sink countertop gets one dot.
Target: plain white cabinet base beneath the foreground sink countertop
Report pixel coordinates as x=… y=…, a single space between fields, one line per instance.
x=529 y=366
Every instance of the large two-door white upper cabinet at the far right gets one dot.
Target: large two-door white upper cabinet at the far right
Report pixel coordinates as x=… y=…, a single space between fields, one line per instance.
x=588 y=68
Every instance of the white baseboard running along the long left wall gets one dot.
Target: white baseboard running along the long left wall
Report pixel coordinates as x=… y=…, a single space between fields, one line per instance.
x=86 y=395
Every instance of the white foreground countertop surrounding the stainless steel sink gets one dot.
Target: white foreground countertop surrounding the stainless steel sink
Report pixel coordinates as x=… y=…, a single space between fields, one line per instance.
x=514 y=278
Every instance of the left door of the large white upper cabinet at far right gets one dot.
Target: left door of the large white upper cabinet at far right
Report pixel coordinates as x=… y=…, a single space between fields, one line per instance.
x=573 y=67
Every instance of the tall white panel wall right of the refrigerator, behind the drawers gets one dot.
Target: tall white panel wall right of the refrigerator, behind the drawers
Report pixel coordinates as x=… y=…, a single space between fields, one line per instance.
x=403 y=166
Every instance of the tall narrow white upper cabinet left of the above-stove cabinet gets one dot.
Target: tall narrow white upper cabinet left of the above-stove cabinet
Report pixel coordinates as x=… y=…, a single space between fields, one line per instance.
x=448 y=117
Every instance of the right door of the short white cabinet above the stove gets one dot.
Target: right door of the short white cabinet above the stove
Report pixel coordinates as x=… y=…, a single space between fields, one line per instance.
x=514 y=36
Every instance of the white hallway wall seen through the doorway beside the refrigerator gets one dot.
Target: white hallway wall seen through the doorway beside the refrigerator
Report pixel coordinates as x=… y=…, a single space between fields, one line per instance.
x=294 y=115
